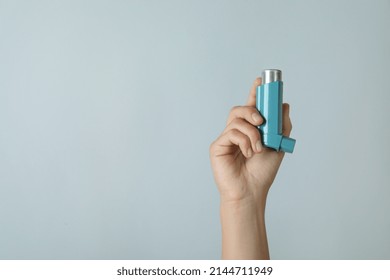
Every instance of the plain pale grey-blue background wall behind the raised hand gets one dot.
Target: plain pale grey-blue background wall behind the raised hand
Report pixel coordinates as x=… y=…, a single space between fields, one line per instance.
x=108 y=108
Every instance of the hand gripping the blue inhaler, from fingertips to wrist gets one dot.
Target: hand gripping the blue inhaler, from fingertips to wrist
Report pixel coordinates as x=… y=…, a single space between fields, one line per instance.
x=243 y=168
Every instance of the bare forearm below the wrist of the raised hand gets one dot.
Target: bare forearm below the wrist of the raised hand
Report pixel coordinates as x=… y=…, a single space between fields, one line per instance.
x=243 y=230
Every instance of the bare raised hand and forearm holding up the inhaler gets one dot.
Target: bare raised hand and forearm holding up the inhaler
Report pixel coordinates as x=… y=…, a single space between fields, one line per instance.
x=244 y=171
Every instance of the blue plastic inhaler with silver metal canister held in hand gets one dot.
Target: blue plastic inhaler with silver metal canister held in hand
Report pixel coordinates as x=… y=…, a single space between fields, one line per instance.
x=269 y=100
